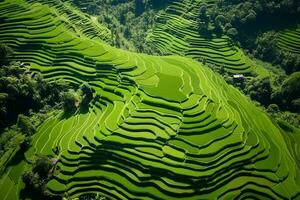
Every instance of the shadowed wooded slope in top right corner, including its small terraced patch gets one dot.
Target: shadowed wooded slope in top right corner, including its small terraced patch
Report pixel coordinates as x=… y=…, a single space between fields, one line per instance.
x=267 y=30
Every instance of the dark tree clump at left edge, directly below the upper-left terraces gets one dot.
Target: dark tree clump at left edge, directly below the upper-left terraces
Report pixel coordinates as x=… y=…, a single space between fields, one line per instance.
x=23 y=92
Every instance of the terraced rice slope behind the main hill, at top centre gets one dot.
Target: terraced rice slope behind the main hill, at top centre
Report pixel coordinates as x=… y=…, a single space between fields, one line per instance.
x=176 y=32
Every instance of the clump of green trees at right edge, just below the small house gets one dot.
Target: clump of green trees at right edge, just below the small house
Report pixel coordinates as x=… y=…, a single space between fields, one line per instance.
x=279 y=99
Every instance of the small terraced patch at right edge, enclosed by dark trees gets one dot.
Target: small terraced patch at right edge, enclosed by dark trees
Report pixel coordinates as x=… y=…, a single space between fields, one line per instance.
x=289 y=40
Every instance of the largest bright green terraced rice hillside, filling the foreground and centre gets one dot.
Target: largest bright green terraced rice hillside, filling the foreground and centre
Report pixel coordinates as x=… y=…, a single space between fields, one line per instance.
x=160 y=127
